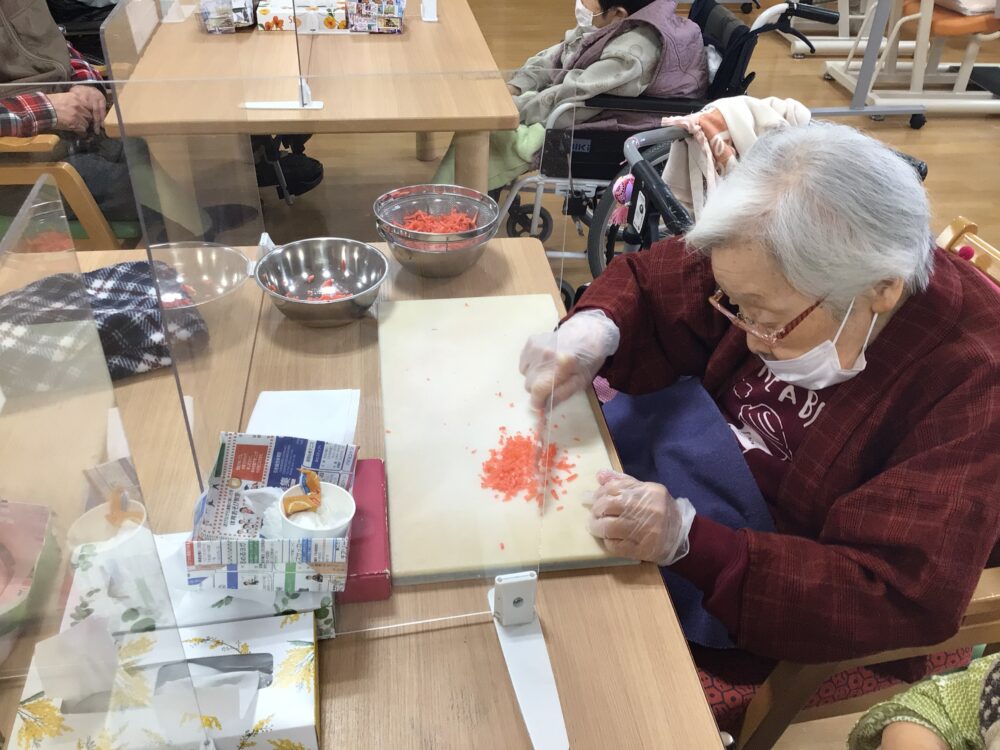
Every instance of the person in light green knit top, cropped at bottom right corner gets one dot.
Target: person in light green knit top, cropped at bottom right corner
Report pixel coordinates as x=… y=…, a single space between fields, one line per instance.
x=959 y=711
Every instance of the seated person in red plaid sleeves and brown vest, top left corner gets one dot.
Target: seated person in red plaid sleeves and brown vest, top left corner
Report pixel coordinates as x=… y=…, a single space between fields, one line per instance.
x=51 y=89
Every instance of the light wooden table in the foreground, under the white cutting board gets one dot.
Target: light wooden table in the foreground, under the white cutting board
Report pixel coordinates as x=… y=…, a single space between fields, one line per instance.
x=623 y=669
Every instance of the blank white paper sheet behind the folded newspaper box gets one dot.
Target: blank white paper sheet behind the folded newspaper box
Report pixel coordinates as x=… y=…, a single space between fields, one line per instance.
x=330 y=416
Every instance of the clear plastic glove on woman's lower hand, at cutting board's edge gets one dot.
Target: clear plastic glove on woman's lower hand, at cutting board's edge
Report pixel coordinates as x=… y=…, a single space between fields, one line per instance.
x=640 y=520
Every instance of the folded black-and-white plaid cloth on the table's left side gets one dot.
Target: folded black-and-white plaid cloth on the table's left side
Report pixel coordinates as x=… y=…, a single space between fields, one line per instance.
x=47 y=327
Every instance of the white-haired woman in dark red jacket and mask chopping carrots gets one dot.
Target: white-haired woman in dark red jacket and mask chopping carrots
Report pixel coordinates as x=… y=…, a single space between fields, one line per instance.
x=829 y=381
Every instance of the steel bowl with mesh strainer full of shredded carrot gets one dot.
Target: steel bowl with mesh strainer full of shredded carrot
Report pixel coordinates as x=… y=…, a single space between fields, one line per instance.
x=430 y=253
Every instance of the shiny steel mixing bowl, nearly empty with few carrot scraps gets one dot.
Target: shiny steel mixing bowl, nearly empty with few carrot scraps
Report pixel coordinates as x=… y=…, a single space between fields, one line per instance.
x=293 y=276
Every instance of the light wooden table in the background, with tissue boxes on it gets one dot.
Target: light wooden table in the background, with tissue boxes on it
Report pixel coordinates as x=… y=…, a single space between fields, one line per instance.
x=435 y=77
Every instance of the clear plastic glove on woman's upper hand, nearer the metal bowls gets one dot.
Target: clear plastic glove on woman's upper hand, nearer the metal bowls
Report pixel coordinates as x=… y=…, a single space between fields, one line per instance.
x=556 y=365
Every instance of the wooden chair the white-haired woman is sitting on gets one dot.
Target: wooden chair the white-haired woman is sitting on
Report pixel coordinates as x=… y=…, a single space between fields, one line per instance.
x=778 y=702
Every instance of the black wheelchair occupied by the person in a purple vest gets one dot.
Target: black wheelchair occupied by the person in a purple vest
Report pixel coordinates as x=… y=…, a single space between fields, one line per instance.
x=580 y=164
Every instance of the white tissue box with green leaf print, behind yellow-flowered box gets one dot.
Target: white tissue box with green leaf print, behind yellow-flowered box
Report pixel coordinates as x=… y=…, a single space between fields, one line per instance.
x=147 y=601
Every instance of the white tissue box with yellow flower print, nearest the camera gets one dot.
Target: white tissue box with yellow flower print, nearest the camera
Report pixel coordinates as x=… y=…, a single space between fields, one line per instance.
x=255 y=684
